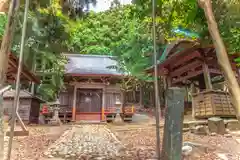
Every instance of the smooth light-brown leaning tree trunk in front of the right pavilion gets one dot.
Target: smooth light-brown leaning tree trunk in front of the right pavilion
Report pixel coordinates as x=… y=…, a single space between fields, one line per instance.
x=222 y=55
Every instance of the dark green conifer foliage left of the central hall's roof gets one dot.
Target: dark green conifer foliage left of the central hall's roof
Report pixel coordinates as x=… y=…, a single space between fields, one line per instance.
x=45 y=41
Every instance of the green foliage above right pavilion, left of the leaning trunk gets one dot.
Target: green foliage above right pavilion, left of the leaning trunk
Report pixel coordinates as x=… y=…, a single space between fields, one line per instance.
x=172 y=14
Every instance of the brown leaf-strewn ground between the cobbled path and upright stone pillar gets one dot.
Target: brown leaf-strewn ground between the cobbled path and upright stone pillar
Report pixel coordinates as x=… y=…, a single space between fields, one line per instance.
x=140 y=141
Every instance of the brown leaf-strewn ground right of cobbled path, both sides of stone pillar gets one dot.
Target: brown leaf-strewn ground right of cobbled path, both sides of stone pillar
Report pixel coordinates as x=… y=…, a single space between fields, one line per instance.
x=141 y=143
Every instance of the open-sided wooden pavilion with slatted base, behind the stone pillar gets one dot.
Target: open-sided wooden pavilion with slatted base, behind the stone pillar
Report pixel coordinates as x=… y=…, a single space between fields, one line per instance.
x=185 y=63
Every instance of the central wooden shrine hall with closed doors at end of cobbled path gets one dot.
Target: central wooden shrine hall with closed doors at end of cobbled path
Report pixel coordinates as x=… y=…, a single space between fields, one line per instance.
x=92 y=87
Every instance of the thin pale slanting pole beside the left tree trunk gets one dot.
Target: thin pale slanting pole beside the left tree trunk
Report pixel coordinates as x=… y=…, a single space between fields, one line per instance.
x=16 y=98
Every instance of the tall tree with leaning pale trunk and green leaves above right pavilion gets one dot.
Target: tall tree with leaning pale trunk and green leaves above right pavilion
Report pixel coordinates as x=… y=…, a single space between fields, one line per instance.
x=215 y=22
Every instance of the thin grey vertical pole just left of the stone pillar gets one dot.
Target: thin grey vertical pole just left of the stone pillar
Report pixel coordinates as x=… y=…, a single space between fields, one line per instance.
x=157 y=101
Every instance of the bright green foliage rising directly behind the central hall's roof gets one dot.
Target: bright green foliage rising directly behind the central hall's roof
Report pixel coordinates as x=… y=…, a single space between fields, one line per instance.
x=120 y=32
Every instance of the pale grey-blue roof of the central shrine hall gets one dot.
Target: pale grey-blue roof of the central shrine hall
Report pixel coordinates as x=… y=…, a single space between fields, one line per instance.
x=91 y=65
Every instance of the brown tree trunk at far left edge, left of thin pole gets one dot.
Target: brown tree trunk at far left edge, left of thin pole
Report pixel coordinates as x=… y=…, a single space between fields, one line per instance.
x=5 y=49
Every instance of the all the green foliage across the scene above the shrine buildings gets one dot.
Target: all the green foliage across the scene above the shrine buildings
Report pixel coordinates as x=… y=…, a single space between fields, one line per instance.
x=122 y=31
